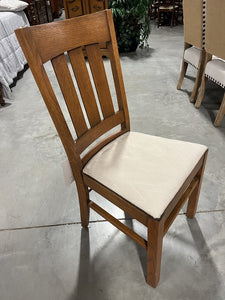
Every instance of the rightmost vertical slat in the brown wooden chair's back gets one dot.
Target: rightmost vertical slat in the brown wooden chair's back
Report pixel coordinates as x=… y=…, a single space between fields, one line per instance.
x=100 y=79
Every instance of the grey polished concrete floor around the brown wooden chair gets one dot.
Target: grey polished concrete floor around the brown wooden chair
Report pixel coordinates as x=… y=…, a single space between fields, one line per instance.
x=44 y=253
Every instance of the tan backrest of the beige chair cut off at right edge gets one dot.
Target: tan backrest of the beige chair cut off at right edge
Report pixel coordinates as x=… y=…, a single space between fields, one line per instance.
x=215 y=25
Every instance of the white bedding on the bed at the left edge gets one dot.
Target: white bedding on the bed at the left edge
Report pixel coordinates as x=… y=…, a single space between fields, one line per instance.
x=12 y=59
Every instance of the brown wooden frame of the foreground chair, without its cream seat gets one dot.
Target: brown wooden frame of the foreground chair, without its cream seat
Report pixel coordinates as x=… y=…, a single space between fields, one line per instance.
x=37 y=51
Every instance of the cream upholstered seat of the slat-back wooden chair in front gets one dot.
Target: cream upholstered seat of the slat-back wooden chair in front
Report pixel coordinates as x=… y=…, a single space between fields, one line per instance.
x=146 y=170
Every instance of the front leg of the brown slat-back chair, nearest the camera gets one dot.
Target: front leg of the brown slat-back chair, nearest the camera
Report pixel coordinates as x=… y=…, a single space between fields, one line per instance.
x=154 y=250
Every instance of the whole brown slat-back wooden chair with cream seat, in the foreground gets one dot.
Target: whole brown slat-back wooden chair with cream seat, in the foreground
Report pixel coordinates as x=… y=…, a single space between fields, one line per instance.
x=149 y=177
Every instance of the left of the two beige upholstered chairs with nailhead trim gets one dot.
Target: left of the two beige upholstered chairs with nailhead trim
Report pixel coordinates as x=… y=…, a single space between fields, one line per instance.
x=194 y=32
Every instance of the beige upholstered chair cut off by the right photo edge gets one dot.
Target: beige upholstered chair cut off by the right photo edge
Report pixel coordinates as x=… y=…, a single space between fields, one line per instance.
x=215 y=52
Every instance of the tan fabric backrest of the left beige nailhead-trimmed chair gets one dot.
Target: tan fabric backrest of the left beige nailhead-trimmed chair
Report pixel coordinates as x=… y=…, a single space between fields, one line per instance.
x=193 y=22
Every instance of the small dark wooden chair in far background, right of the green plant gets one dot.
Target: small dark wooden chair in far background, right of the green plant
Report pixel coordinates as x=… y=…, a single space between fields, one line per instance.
x=166 y=7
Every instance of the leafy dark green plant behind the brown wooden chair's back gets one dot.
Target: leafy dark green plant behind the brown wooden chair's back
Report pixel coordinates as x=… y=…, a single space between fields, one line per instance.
x=132 y=23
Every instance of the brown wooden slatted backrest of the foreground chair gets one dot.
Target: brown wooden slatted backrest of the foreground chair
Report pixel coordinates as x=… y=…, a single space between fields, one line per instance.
x=76 y=42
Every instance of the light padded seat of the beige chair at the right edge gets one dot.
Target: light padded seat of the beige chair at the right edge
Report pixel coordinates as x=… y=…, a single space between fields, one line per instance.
x=215 y=70
